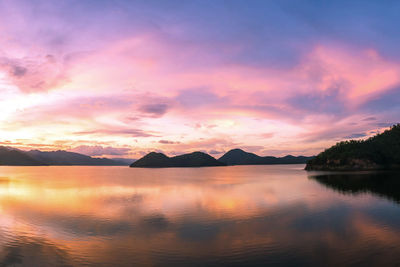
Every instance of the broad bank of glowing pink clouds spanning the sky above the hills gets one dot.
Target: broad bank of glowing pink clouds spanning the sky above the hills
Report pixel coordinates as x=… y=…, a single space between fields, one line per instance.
x=137 y=87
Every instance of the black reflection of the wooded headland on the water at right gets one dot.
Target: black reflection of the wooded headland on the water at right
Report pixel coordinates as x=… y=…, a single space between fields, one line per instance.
x=384 y=184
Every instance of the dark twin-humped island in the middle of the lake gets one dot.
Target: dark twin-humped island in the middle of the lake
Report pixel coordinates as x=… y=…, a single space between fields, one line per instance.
x=159 y=160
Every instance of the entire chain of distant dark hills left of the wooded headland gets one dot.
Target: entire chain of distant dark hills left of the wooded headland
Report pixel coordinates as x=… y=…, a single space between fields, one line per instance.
x=16 y=157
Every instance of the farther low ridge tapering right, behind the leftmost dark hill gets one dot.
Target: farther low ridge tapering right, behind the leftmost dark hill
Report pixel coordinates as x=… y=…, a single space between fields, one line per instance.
x=66 y=158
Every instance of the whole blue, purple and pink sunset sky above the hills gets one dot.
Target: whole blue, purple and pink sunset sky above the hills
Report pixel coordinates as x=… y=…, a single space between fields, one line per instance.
x=123 y=78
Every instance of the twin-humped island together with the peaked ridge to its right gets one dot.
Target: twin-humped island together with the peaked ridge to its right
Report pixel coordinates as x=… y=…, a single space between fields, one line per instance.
x=200 y=159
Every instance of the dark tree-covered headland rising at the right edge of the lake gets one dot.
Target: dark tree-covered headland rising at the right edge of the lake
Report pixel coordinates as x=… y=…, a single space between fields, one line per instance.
x=381 y=151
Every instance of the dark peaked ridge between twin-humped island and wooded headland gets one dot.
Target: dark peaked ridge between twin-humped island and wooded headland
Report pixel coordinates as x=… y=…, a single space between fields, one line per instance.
x=240 y=157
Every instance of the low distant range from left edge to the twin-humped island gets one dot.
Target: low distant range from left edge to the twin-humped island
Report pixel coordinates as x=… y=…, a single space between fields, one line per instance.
x=15 y=157
